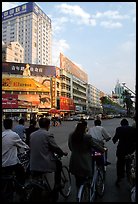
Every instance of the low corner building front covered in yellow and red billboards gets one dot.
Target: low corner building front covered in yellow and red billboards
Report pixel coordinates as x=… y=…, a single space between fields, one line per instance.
x=28 y=88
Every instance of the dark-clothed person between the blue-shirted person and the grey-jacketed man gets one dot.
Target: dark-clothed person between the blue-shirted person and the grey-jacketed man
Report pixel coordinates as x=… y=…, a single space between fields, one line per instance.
x=29 y=130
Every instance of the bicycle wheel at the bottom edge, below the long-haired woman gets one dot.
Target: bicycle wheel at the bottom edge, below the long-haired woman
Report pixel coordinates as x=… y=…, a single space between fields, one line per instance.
x=84 y=193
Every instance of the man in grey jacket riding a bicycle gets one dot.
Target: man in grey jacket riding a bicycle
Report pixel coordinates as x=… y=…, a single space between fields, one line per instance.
x=43 y=147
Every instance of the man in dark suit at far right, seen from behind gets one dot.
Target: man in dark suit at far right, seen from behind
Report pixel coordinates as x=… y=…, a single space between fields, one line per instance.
x=125 y=135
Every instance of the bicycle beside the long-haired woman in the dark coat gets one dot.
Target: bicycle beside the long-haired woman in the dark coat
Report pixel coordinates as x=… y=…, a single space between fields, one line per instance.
x=93 y=185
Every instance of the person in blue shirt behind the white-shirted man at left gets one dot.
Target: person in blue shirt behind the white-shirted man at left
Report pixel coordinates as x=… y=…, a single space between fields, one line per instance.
x=20 y=129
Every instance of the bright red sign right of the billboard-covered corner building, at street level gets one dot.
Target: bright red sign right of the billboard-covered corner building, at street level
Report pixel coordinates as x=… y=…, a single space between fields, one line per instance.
x=66 y=103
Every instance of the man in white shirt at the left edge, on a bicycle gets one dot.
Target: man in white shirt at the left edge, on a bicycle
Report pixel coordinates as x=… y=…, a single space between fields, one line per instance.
x=11 y=142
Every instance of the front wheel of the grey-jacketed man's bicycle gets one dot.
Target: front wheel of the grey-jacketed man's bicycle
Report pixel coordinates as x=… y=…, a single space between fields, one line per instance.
x=65 y=182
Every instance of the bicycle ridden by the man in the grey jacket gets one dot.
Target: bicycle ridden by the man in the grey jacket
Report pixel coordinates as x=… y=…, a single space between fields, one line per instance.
x=39 y=187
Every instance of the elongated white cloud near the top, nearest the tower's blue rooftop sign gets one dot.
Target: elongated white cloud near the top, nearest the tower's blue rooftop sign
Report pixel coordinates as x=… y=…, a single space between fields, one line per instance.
x=78 y=15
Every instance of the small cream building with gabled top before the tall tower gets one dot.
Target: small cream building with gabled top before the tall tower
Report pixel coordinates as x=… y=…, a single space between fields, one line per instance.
x=13 y=52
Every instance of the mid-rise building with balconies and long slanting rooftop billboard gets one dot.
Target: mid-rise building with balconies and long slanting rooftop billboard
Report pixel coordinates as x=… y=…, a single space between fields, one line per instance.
x=74 y=83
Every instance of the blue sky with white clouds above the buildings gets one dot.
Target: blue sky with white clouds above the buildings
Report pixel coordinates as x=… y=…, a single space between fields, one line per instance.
x=100 y=37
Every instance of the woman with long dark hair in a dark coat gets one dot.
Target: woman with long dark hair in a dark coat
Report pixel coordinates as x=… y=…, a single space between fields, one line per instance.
x=80 y=145
